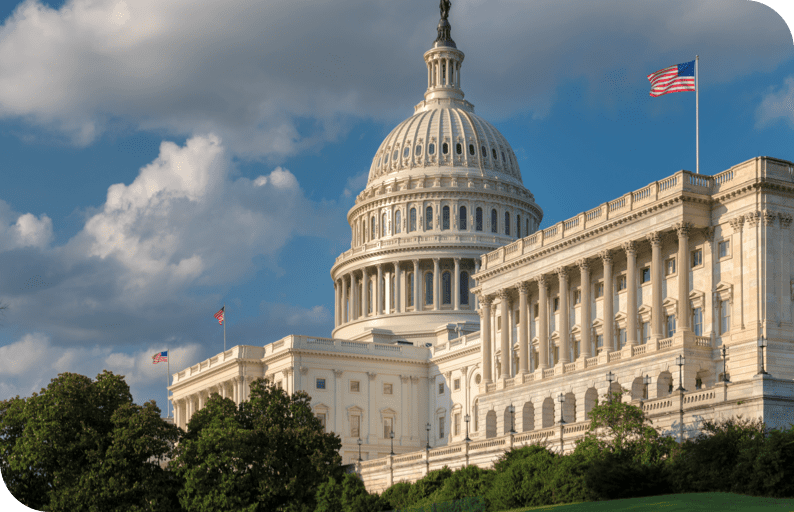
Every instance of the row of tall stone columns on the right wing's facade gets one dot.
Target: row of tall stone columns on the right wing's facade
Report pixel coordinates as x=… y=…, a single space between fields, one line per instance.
x=563 y=273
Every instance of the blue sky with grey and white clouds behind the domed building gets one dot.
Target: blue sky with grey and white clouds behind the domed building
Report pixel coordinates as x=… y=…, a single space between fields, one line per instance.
x=162 y=158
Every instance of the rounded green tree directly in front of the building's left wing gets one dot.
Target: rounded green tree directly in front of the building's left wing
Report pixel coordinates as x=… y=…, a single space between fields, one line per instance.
x=270 y=453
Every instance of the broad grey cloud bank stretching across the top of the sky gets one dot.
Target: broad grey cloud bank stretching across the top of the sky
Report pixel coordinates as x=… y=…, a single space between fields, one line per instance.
x=280 y=77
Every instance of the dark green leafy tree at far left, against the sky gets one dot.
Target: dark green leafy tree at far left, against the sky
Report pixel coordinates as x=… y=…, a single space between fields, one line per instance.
x=83 y=444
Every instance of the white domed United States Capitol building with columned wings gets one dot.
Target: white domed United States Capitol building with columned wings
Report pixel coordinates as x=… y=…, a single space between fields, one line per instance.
x=464 y=329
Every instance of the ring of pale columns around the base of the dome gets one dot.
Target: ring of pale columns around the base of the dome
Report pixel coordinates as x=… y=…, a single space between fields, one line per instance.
x=356 y=296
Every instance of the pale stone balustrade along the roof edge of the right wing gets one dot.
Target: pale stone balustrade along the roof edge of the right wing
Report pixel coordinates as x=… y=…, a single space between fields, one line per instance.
x=682 y=181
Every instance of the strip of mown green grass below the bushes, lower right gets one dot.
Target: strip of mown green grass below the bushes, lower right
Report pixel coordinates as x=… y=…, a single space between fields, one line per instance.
x=707 y=502
